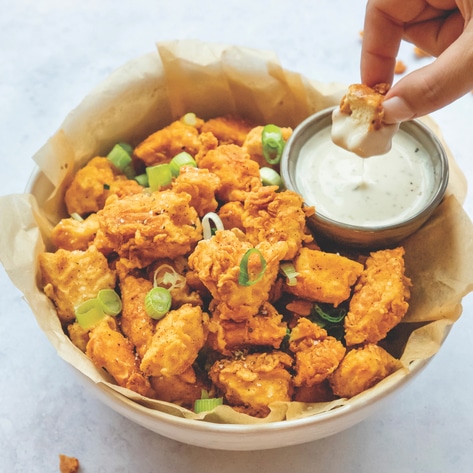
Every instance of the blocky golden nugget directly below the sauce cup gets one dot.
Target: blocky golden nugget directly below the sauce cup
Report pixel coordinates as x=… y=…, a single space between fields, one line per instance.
x=324 y=277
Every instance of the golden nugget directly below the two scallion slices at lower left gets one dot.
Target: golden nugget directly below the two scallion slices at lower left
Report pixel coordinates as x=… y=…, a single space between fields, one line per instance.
x=109 y=349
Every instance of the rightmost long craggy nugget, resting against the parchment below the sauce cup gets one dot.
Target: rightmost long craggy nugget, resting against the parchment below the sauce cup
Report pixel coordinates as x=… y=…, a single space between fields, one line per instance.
x=380 y=298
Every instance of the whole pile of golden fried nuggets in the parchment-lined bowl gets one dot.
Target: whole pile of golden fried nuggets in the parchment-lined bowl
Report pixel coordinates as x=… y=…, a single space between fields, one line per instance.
x=253 y=345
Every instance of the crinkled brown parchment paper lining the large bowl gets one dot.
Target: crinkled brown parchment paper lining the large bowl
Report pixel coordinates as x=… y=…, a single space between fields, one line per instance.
x=212 y=79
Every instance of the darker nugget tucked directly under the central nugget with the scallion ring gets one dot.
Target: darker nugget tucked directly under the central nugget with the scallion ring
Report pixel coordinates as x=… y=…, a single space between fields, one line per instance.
x=265 y=329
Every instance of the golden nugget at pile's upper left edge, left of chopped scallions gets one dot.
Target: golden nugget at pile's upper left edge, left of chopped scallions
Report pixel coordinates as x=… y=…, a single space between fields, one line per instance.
x=94 y=183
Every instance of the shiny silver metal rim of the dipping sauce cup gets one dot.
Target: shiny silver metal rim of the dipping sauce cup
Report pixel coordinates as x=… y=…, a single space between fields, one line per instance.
x=433 y=202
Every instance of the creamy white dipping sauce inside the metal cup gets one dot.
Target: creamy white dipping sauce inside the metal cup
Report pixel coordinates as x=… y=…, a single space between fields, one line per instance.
x=373 y=191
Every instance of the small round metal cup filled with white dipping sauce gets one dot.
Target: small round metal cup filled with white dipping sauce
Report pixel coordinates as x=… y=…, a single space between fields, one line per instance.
x=365 y=202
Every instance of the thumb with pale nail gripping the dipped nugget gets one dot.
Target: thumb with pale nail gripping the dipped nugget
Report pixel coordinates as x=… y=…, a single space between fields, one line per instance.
x=434 y=86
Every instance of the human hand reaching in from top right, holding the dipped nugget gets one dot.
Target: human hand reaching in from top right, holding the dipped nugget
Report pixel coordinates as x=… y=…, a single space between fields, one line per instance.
x=442 y=28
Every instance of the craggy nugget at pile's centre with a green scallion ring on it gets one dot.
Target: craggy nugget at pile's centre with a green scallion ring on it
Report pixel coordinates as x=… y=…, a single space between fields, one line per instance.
x=217 y=264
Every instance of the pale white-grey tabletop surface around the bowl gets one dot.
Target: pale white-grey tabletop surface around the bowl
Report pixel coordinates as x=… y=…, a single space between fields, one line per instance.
x=52 y=52
